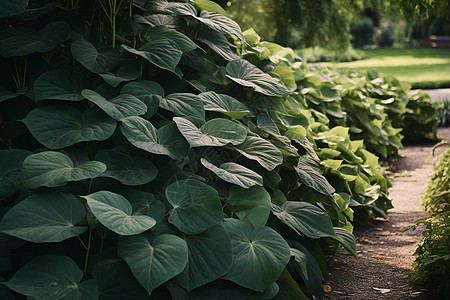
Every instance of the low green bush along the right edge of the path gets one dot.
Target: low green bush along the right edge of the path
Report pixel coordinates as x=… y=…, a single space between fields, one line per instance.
x=432 y=264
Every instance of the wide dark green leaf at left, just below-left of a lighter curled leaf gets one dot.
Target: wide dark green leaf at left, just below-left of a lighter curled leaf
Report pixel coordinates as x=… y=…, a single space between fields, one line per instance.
x=58 y=126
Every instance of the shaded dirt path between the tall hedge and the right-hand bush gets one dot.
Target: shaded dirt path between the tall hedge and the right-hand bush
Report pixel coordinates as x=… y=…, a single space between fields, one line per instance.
x=385 y=250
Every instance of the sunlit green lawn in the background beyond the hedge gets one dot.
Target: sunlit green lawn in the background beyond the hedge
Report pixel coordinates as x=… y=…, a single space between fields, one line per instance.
x=422 y=67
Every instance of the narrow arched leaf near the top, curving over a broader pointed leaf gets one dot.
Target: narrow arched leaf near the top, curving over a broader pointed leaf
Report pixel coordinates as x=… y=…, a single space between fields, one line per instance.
x=156 y=33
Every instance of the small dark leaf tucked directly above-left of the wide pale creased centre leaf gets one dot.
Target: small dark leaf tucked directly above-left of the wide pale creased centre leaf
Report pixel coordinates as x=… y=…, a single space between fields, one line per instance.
x=185 y=105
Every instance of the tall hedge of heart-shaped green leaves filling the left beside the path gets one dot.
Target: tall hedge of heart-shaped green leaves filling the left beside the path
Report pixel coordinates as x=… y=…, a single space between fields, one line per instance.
x=152 y=150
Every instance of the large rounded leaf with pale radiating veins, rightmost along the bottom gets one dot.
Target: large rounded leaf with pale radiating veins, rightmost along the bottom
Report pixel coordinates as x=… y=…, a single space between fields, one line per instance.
x=260 y=255
